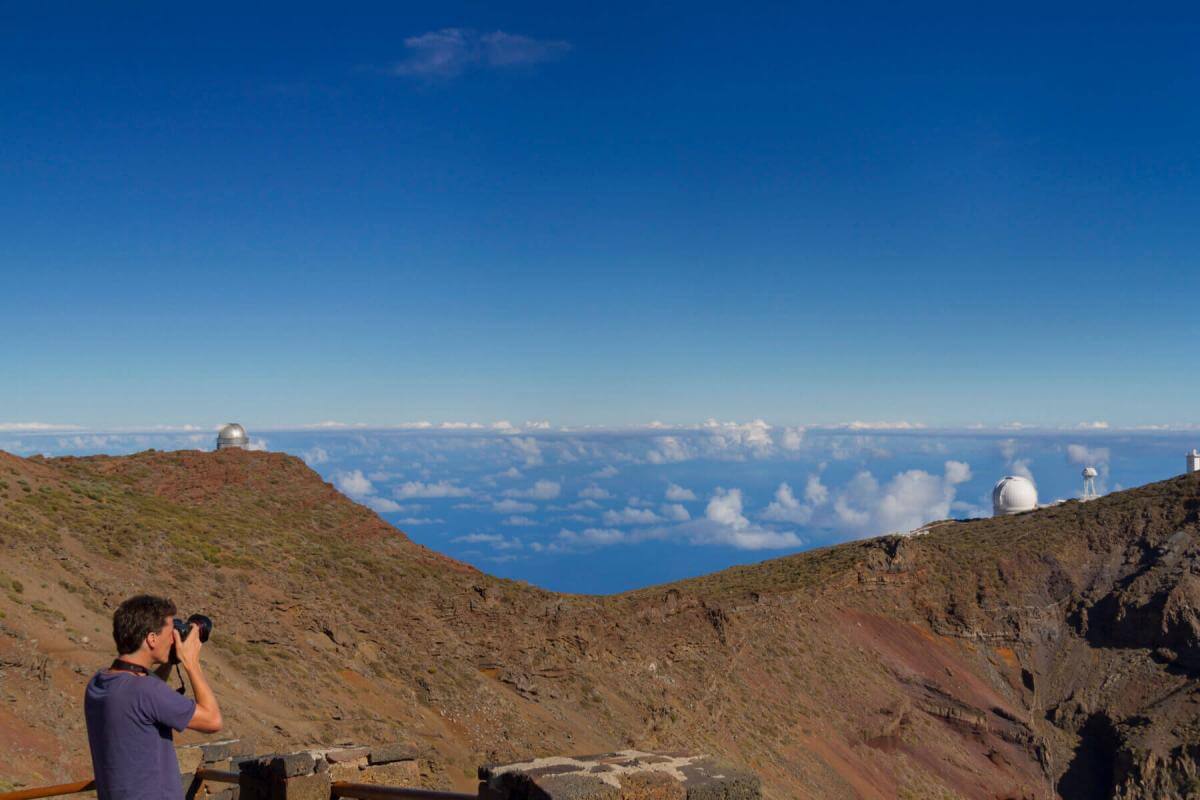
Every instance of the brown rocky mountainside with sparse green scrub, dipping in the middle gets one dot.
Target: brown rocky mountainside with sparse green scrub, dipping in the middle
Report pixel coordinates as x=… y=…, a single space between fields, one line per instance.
x=1051 y=653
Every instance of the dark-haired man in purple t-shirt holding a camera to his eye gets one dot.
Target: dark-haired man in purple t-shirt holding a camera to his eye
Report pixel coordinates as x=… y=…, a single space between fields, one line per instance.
x=131 y=711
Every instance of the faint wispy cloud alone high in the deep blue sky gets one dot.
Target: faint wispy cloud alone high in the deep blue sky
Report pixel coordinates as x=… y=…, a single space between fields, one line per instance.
x=451 y=52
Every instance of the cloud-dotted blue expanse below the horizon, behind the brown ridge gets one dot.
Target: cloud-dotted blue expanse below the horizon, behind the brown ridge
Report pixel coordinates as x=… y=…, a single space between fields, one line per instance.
x=603 y=510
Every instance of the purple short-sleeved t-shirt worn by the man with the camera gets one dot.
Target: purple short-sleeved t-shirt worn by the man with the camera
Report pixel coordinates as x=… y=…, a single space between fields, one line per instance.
x=130 y=721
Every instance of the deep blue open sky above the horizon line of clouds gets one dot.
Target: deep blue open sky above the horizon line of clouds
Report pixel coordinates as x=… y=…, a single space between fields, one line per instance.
x=385 y=213
